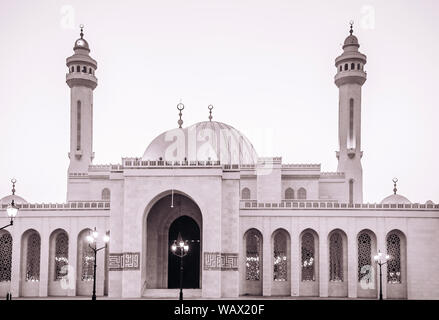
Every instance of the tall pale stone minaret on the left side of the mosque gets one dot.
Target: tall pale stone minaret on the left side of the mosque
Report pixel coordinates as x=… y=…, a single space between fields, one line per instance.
x=82 y=81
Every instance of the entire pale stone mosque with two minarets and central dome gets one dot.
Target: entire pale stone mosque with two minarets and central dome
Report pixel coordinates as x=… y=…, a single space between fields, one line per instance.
x=253 y=226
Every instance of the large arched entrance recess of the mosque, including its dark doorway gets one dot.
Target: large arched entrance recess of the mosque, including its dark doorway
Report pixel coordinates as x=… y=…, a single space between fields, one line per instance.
x=164 y=221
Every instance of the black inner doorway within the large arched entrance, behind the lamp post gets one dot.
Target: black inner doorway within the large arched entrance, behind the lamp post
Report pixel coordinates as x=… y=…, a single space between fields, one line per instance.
x=190 y=231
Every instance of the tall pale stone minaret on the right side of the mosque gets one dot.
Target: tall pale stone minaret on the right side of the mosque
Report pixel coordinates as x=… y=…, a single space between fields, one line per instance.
x=349 y=79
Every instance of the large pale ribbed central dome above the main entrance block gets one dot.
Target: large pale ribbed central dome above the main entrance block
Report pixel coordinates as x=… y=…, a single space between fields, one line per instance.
x=203 y=141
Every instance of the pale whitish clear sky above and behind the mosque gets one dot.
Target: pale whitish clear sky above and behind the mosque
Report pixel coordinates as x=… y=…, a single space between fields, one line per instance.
x=266 y=66
